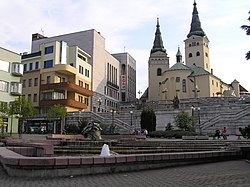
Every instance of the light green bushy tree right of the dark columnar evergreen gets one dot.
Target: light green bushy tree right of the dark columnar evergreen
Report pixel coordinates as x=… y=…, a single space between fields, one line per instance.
x=184 y=121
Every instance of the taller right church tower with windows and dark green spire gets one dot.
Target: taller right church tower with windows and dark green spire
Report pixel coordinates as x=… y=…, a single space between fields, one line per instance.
x=196 y=44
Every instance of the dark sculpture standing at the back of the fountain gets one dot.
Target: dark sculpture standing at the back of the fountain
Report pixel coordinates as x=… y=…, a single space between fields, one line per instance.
x=92 y=131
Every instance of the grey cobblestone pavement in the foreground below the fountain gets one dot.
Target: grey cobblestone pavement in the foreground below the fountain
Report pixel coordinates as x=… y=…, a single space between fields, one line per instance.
x=228 y=174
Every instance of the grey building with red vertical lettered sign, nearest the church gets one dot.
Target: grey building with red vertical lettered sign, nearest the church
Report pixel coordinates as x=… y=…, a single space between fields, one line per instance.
x=128 y=76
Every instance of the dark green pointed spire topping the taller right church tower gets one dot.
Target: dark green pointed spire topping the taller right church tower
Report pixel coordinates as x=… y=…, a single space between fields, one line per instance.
x=196 y=24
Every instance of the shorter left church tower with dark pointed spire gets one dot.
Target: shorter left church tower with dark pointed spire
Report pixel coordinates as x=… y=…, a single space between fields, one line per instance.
x=158 y=63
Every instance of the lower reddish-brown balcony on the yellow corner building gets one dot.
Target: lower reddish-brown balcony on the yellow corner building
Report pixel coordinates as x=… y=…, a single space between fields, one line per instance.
x=65 y=102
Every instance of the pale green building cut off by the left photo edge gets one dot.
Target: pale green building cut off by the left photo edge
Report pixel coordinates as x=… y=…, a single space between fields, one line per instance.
x=11 y=70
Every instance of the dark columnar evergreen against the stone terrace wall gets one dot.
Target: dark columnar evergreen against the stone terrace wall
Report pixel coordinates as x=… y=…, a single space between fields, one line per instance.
x=148 y=119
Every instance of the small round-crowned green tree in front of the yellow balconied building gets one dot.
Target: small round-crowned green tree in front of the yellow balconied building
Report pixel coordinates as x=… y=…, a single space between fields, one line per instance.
x=57 y=111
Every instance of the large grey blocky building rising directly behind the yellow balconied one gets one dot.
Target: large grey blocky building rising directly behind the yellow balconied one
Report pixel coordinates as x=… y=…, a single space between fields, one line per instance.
x=105 y=67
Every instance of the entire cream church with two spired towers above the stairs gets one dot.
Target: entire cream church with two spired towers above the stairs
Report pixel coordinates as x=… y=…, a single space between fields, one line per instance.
x=191 y=79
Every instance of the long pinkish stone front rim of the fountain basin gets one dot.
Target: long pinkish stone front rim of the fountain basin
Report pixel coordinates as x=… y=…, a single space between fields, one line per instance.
x=20 y=166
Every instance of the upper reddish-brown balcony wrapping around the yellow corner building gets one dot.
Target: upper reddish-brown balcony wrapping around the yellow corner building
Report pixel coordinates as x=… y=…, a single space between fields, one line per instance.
x=71 y=87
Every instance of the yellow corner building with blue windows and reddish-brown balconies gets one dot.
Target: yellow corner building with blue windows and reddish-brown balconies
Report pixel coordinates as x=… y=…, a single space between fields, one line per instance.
x=57 y=74
